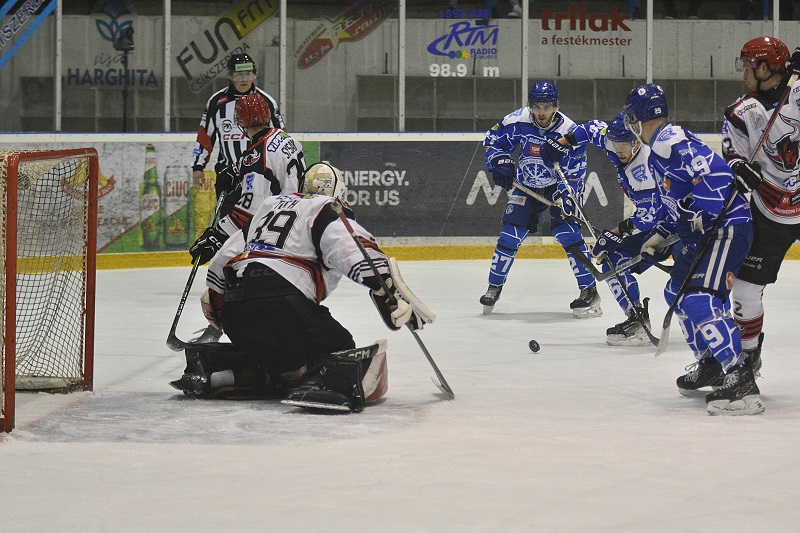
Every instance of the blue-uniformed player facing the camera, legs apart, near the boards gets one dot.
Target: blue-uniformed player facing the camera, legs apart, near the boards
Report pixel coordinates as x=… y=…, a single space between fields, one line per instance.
x=526 y=130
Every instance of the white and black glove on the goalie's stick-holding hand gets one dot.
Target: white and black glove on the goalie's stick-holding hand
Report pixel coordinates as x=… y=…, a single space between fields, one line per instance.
x=400 y=306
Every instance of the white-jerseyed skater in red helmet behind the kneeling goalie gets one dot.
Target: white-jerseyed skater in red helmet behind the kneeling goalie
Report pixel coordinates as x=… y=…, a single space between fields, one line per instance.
x=272 y=164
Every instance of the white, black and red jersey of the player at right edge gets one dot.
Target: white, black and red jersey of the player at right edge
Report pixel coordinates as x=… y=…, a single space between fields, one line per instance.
x=778 y=196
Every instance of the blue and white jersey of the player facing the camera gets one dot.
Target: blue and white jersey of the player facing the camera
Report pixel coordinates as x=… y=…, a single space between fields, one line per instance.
x=519 y=130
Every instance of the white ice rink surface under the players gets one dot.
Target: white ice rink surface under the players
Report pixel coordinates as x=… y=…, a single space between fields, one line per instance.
x=578 y=437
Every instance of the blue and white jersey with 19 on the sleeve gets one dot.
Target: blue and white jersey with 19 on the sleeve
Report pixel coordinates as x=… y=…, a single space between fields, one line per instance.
x=690 y=172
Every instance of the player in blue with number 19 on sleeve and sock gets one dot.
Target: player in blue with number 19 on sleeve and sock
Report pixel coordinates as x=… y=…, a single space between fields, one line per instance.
x=697 y=185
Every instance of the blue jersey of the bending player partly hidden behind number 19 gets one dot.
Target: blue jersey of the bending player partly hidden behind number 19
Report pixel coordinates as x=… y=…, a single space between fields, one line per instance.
x=638 y=182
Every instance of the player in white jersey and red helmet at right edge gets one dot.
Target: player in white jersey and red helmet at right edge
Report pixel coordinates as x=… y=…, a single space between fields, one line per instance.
x=772 y=177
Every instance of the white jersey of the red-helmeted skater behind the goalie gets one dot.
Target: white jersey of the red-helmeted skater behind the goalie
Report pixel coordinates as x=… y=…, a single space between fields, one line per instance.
x=273 y=164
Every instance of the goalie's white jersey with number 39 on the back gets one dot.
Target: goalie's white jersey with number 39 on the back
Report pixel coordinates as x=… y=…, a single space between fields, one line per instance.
x=303 y=239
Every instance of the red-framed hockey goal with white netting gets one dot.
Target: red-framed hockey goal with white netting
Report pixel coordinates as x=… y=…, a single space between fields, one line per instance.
x=48 y=226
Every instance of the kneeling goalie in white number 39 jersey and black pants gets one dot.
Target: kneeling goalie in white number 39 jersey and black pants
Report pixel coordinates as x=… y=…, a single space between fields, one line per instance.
x=266 y=285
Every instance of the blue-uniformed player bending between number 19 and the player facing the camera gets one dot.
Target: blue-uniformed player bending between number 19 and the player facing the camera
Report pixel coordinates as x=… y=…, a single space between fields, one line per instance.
x=619 y=244
